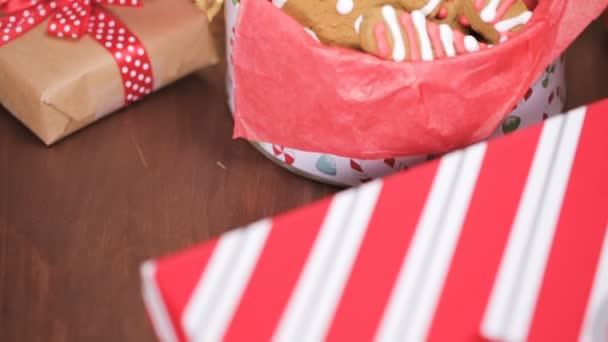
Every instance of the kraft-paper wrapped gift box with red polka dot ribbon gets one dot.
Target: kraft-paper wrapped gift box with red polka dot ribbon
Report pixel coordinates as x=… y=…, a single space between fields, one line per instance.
x=65 y=64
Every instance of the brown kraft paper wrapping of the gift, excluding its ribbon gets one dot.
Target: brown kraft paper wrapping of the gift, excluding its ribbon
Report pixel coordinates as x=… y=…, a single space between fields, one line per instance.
x=57 y=86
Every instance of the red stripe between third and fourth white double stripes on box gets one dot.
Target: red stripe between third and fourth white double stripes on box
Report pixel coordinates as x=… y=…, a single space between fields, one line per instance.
x=484 y=235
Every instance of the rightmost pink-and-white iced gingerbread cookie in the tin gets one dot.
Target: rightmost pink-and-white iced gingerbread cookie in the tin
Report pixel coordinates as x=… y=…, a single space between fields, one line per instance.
x=495 y=20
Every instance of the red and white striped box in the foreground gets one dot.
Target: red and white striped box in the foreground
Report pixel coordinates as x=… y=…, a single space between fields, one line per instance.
x=503 y=241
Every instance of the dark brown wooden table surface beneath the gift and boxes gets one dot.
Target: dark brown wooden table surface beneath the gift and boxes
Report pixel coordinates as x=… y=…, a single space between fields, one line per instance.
x=77 y=219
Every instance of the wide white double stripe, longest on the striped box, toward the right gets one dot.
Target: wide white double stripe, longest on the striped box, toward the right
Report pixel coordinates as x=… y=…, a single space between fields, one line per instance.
x=519 y=278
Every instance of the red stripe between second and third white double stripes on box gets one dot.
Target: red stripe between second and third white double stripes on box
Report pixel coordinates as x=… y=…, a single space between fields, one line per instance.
x=381 y=255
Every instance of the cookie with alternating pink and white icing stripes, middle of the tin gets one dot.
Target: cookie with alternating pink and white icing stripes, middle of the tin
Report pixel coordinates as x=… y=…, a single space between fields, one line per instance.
x=397 y=35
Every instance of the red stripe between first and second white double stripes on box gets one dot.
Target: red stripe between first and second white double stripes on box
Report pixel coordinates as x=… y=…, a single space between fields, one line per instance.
x=276 y=274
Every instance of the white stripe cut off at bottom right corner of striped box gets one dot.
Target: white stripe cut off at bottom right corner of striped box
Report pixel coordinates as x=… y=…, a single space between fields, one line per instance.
x=595 y=325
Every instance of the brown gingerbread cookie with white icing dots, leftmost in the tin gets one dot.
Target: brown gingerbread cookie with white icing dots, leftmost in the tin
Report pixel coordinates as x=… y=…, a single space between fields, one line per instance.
x=334 y=22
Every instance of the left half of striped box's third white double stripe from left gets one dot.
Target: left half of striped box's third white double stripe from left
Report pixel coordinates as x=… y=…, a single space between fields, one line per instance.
x=414 y=264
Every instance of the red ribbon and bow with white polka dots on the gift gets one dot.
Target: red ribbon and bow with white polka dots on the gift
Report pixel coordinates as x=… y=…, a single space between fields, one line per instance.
x=73 y=19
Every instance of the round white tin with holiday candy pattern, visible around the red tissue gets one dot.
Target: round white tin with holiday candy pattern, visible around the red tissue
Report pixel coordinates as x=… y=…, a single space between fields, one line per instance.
x=545 y=98
